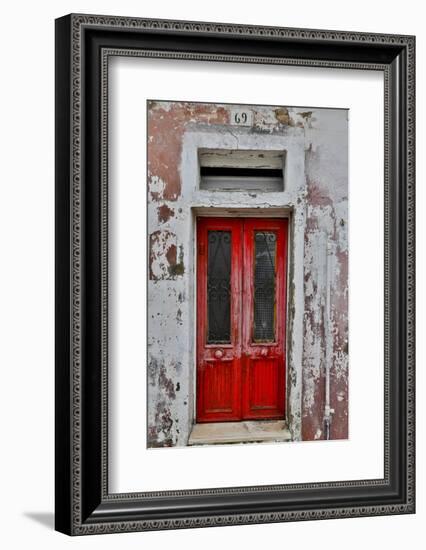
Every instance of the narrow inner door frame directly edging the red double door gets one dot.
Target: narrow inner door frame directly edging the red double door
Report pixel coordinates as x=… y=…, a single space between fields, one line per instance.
x=260 y=213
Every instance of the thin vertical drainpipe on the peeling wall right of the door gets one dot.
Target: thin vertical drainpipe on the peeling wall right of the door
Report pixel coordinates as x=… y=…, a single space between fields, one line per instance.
x=328 y=412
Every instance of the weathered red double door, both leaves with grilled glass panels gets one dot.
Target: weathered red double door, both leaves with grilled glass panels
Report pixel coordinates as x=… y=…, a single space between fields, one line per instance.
x=241 y=318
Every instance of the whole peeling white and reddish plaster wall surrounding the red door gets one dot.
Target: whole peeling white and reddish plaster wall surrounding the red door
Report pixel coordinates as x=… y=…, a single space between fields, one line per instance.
x=318 y=139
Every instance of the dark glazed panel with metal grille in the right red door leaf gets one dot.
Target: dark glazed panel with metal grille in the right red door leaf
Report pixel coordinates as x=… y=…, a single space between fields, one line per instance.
x=264 y=286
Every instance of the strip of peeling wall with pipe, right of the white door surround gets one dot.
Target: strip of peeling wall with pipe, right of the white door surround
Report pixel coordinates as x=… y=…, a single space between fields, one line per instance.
x=326 y=166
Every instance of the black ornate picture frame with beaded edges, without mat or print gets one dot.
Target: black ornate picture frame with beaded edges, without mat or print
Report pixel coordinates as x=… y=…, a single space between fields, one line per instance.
x=84 y=43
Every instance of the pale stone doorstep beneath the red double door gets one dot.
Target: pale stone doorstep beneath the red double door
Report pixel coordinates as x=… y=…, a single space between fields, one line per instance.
x=258 y=431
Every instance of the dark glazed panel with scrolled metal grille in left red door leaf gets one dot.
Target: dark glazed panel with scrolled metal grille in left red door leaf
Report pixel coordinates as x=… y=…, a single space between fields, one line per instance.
x=219 y=287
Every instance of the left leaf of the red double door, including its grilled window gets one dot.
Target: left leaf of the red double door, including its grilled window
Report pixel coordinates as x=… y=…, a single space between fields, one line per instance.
x=219 y=319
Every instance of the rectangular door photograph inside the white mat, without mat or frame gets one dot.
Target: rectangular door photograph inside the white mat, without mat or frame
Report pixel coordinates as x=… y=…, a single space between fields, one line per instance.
x=248 y=255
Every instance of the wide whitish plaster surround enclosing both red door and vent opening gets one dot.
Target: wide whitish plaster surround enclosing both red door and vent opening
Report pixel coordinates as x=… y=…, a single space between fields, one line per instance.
x=290 y=202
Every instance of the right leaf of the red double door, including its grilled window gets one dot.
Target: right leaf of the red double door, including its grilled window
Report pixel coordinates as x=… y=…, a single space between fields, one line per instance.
x=263 y=319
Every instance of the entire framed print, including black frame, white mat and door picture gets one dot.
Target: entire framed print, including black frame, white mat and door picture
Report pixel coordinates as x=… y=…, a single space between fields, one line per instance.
x=234 y=274
